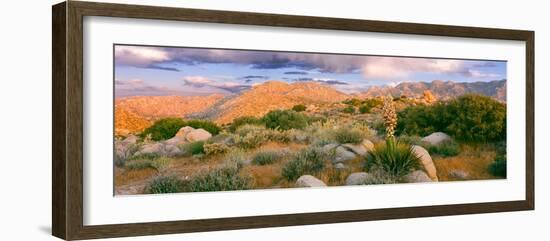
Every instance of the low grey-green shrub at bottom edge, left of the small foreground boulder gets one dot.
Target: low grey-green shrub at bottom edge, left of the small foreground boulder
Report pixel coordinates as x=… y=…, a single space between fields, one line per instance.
x=223 y=178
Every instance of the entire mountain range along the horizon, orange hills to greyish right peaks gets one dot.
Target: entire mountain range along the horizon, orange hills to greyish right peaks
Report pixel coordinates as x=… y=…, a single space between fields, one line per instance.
x=132 y=114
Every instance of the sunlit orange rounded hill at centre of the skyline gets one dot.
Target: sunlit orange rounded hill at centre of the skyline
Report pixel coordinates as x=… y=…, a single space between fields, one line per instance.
x=273 y=95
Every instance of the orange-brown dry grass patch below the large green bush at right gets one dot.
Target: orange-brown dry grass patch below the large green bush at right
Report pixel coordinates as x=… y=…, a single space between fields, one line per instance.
x=474 y=160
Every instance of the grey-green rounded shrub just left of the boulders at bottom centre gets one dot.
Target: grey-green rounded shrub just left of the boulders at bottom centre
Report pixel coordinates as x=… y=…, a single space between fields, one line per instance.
x=308 y=161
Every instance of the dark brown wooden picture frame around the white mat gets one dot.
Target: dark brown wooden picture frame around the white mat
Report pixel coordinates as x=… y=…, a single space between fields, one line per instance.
x=67 y=124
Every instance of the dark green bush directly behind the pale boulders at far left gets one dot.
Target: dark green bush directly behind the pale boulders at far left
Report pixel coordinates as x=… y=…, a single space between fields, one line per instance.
x=163 y=129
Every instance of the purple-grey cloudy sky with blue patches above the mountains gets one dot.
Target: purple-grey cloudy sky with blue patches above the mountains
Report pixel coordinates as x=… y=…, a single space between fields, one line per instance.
x=141 y=70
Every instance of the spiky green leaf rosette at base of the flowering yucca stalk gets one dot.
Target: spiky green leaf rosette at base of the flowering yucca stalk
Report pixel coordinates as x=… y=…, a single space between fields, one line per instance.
x=397 y=159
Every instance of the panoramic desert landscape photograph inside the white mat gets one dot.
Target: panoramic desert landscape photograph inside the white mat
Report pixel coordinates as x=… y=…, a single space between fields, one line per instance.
x=192 y=119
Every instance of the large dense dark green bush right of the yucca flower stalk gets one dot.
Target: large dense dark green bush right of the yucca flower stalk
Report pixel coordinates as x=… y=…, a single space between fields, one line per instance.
x=471 y=117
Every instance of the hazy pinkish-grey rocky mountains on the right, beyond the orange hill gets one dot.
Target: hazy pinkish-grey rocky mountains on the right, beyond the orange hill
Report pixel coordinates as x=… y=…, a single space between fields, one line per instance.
x=441 y=89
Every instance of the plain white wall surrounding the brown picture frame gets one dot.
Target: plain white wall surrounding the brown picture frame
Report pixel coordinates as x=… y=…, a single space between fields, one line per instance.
x=25 y=120
